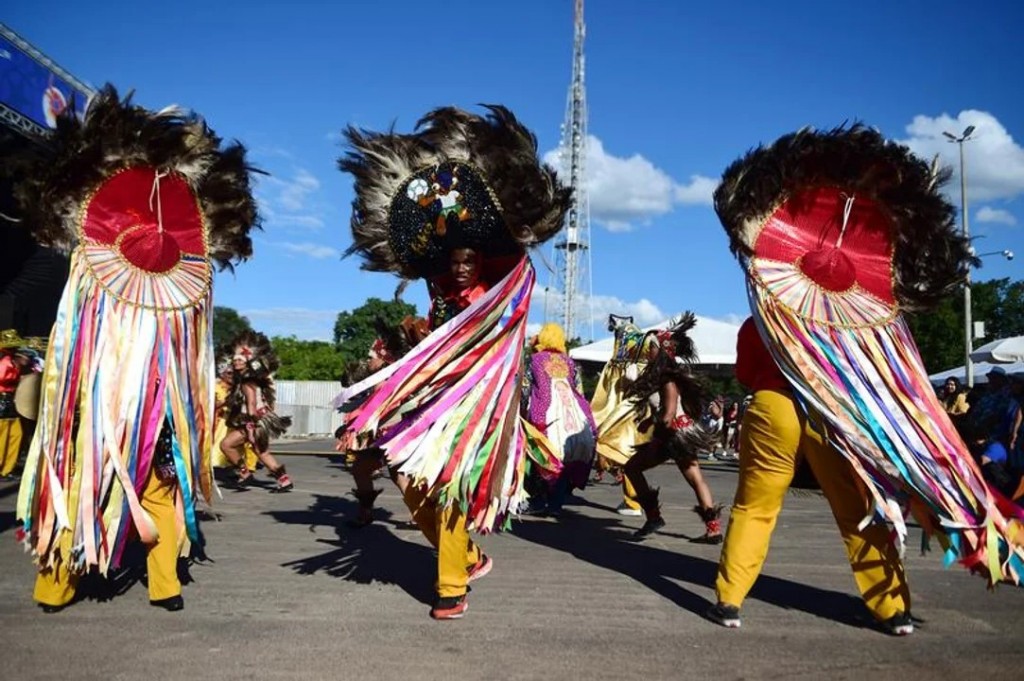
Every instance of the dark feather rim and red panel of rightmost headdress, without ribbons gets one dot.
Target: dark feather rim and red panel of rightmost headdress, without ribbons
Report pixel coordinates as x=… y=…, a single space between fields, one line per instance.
x=898 y=227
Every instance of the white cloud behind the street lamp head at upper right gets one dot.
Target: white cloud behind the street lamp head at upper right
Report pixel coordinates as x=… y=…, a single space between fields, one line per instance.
x=995 y=162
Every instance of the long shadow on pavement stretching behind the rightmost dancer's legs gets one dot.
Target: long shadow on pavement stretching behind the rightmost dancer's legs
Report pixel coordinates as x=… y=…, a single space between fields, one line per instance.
x=603 y=543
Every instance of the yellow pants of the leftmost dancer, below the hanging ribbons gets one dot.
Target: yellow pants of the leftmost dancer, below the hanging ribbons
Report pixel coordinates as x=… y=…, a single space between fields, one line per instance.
x=57 y=586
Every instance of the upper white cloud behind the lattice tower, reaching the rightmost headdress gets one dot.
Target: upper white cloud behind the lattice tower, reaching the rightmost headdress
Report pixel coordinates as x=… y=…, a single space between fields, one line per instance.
x=624 y=192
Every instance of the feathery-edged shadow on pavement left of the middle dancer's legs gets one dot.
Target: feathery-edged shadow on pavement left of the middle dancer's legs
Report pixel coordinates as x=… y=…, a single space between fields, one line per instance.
x=366 y=556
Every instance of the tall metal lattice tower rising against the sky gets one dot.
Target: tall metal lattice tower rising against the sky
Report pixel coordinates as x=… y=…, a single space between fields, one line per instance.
x=569 y=296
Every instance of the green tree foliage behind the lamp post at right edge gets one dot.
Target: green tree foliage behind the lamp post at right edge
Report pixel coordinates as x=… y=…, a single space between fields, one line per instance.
x=940 y=333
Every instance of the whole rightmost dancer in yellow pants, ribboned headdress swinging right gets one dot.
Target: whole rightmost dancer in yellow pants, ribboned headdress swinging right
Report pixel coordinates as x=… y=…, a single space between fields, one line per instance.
x=839 y=233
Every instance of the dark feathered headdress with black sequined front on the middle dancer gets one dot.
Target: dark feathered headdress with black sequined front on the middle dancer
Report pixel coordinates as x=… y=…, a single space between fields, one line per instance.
x=460 y=181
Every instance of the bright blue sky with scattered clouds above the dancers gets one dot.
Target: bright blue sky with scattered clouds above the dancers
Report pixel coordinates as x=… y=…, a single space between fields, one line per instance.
x=676 y=92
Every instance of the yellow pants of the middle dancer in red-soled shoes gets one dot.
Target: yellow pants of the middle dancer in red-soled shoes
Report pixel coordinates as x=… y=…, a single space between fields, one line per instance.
x=446 y=530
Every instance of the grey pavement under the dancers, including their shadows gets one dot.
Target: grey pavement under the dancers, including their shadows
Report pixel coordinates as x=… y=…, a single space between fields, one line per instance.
x=288 y=591
